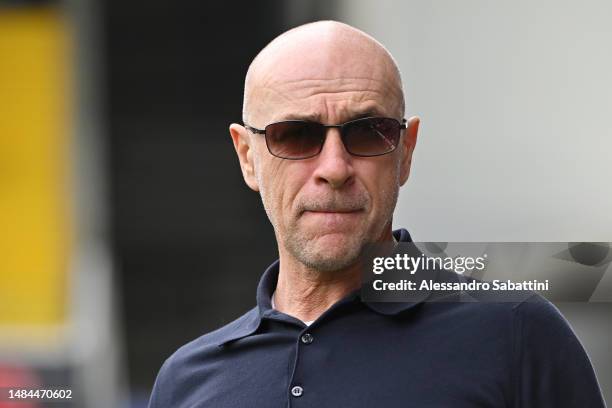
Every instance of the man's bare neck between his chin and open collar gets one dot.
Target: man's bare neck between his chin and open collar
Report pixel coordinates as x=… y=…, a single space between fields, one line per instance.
x=306 y=294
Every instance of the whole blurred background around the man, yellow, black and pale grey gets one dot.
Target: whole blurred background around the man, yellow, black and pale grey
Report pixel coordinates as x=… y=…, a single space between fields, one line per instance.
x=127 y=229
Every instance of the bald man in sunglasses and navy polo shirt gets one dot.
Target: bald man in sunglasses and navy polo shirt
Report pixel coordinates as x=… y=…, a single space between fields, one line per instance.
x=328 y=192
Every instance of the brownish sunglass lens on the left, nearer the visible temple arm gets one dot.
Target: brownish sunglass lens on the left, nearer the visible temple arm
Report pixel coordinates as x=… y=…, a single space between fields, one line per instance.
x=294 y=139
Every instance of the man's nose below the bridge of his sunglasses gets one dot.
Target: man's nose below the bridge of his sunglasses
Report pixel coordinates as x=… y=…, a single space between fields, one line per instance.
x=334 y=163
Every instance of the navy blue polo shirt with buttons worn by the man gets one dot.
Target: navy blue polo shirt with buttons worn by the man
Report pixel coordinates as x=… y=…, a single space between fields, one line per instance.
x=385 y=354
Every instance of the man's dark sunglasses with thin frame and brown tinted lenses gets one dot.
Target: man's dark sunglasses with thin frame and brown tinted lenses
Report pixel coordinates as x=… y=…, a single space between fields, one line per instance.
x=298 y=139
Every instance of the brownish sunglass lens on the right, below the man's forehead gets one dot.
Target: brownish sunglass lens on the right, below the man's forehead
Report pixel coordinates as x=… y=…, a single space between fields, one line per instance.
x=372 y=136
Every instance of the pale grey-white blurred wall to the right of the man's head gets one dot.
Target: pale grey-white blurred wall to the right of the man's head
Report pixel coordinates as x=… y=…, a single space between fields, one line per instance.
x=515 y=99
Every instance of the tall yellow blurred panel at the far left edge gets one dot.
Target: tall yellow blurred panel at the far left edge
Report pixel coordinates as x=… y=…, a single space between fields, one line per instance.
x=35 y=228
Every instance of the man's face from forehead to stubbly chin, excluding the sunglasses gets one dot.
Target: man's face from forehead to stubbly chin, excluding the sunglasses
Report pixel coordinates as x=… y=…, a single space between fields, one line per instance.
x=326 y=208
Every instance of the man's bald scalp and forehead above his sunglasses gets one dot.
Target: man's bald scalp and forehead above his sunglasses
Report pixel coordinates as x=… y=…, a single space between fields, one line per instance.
x=322 y=57
